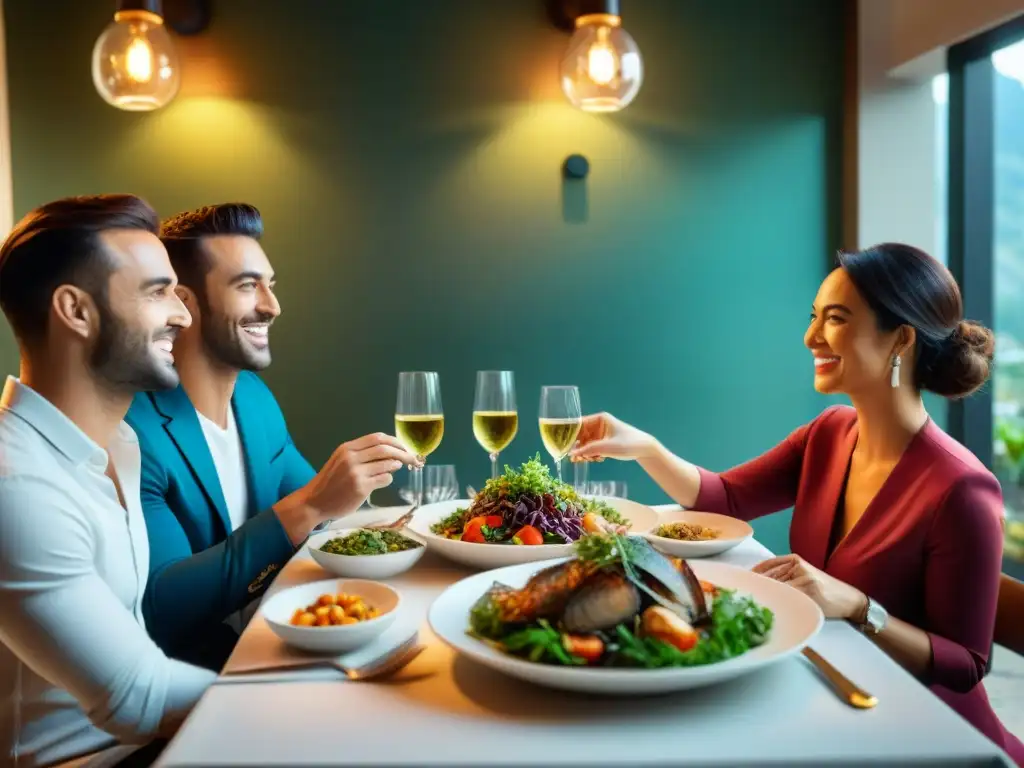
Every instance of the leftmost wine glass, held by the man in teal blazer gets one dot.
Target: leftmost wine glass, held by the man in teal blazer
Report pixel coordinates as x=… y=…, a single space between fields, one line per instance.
x=419 y=420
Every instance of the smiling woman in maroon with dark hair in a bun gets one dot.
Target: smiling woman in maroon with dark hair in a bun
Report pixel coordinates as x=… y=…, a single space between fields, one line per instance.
x=897 y=527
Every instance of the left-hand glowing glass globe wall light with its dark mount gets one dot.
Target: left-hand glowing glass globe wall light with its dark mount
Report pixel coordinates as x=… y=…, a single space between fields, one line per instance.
x=136 y=66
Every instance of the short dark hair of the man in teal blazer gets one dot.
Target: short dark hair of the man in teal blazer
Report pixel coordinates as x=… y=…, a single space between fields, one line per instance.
x=183 y=236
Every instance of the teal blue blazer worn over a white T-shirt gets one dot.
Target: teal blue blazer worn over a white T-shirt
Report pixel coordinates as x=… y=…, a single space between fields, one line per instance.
x=200 y=573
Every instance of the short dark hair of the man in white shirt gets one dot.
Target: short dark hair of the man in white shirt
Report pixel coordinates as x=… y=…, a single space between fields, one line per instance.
x=60 y=244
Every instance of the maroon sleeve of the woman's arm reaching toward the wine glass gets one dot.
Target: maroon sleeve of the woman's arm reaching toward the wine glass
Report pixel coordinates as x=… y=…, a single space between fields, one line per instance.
x=760 y=487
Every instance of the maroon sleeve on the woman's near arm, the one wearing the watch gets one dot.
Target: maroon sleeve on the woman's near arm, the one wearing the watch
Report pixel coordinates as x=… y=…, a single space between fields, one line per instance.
x=962 y=581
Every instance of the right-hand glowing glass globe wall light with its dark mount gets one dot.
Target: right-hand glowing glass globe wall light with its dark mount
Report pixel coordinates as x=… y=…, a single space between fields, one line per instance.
x=603 y=69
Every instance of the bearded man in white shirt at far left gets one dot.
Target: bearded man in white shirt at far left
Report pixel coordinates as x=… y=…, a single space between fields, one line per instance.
x=89 y=290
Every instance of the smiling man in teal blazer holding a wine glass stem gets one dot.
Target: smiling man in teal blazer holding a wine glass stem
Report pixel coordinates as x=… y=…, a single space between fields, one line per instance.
x=228 y=497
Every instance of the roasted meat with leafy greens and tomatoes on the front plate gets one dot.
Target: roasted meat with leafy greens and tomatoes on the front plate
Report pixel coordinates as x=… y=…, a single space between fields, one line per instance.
x=620 y=604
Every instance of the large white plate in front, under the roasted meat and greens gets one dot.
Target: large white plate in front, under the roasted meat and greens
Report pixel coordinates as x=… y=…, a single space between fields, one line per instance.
x=797 y=621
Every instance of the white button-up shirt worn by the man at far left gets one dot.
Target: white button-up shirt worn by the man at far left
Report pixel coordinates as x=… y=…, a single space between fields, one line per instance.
x=78 y=672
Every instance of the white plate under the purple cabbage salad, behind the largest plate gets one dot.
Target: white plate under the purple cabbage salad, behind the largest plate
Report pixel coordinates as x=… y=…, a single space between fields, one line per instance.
x=642 y=518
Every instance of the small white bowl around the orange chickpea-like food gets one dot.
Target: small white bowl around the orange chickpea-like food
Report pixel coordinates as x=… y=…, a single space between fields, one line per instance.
x=278 y=612
